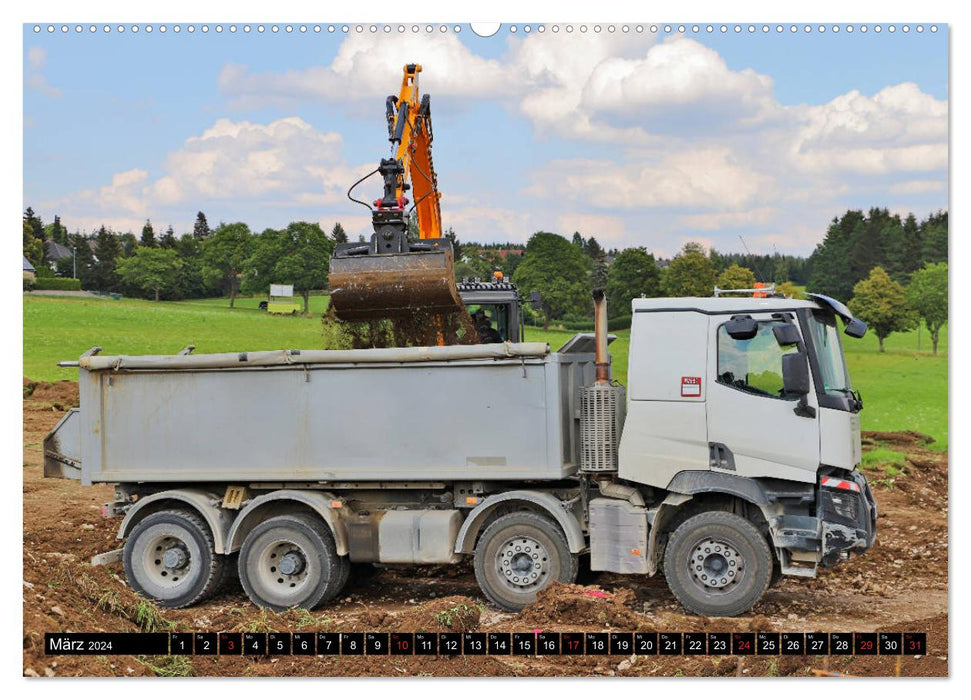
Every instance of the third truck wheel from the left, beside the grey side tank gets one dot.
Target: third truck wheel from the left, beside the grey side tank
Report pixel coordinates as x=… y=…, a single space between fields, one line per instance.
x=520 y=554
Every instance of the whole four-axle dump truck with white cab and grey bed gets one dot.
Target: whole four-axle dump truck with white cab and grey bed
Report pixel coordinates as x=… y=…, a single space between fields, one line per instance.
x=730 y=459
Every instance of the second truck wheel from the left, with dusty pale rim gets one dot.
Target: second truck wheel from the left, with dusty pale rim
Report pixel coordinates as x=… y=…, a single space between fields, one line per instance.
x=291 y=561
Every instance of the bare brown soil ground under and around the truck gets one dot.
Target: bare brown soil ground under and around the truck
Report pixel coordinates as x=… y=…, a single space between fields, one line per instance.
x=900 y=585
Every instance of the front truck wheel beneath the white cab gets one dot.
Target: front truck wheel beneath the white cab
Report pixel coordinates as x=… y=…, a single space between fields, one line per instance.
x=717 y=564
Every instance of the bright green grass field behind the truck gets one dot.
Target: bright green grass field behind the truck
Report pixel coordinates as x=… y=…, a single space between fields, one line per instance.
x=902 y=389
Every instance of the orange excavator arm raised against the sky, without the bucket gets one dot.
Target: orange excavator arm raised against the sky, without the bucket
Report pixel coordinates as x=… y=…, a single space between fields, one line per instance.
x=410 y=126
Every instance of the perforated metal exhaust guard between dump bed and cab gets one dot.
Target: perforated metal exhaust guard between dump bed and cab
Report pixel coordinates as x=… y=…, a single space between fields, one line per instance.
x=601 y=422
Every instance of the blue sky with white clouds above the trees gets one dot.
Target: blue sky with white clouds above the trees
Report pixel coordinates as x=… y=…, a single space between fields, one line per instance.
x=638 y=138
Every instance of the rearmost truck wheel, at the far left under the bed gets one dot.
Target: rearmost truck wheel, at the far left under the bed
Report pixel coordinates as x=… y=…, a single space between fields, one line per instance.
x=169 y=557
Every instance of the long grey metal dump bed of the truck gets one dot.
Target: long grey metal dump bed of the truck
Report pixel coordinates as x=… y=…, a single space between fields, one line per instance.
x=504 y=411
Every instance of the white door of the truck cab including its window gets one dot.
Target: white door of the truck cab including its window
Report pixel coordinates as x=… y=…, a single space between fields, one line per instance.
x=754 y=428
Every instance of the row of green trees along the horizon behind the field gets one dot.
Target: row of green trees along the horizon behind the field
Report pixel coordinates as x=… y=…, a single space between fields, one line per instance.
x=231 y=258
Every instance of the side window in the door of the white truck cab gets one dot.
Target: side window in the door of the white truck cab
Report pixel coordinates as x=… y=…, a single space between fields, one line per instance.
x=755 y=365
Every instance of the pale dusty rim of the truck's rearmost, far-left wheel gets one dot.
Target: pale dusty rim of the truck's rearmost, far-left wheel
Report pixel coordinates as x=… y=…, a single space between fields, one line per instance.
x=170 y=561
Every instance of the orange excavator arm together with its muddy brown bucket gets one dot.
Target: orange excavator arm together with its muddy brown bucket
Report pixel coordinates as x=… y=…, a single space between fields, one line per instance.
x=390 y=275
